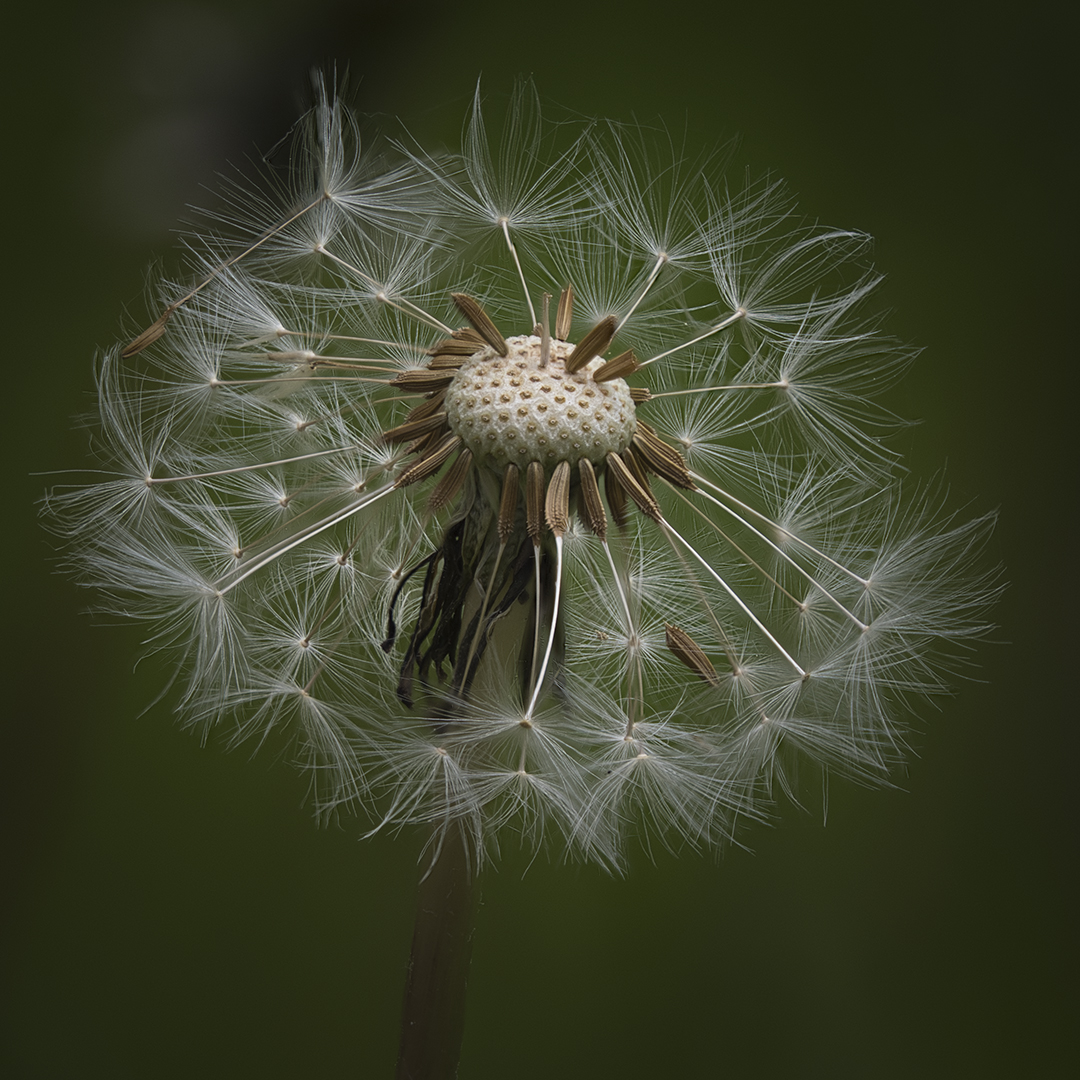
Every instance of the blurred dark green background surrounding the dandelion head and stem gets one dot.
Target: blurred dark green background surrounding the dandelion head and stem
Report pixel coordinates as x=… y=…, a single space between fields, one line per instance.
x=173 y=911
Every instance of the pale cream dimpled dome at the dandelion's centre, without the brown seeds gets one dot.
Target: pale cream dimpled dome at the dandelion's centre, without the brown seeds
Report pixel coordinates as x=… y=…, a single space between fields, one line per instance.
x=509 y=410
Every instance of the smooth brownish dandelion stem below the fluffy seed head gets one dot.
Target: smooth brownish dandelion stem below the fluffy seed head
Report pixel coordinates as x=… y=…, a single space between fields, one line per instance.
x=435 y=1012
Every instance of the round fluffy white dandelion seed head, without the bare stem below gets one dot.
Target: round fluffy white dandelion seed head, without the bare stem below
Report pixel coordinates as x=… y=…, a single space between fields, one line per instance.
x=535 y=492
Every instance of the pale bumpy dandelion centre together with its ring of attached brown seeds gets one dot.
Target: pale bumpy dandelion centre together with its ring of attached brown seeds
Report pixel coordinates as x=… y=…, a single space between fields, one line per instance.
x=538 y=410
